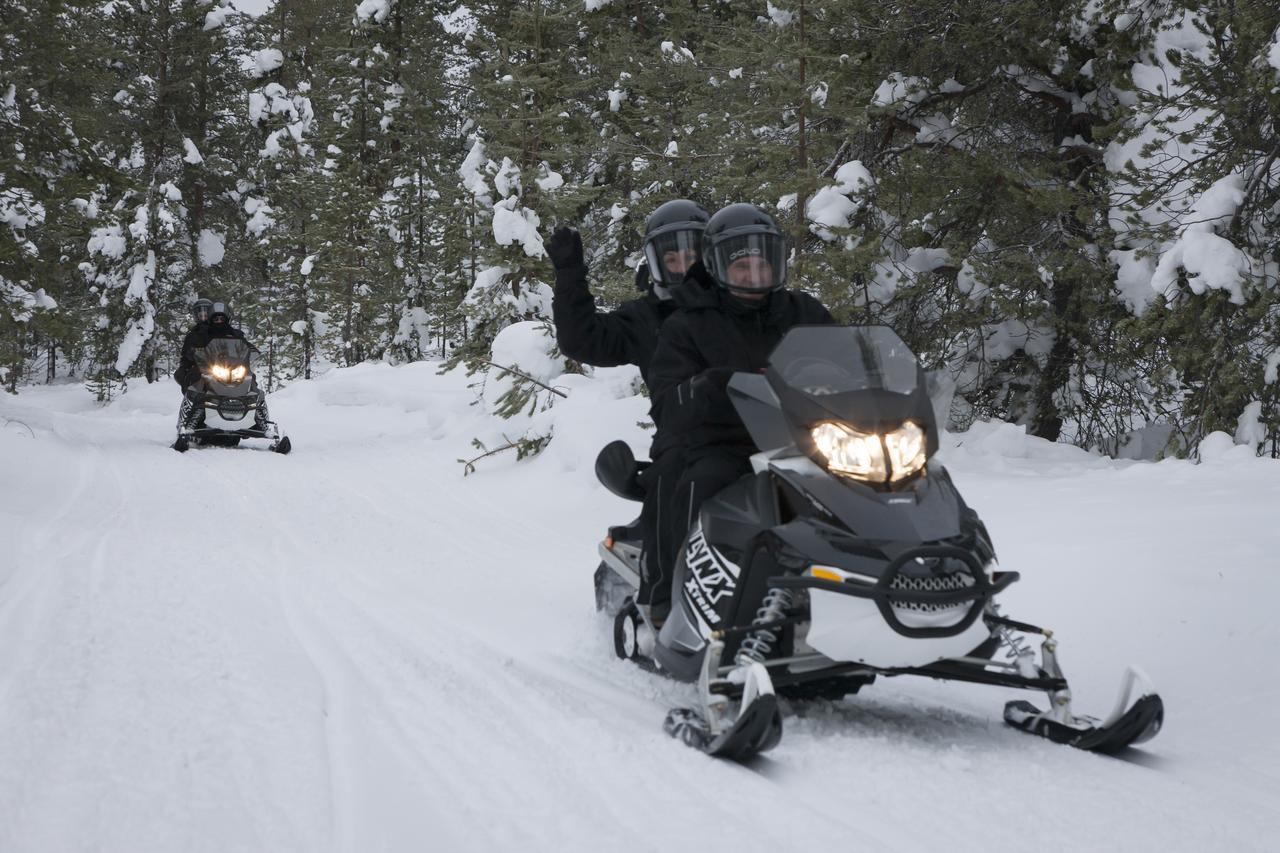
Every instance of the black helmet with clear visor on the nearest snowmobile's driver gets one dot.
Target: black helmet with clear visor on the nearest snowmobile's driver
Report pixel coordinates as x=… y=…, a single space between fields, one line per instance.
x=746 y=252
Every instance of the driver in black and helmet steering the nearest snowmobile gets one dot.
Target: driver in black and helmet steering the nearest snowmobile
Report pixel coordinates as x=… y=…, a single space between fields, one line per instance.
x=730 y=327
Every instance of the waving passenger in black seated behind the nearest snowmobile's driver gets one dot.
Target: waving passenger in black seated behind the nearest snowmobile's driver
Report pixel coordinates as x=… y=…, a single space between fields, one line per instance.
x=629 y=335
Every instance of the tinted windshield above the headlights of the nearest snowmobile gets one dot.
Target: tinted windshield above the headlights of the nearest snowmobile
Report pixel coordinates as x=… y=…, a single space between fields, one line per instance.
x=825 y=361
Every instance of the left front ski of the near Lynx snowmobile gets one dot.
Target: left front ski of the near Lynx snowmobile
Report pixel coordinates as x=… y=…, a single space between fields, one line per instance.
x=719 y=731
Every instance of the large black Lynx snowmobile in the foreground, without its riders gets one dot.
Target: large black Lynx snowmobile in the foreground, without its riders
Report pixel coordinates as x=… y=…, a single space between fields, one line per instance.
x=845 y=556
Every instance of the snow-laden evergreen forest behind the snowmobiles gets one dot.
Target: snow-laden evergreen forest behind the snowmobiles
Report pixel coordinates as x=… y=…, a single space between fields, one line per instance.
x=1069 y=209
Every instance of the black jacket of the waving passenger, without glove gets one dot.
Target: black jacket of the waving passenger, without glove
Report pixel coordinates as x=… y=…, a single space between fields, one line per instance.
x=628 y=335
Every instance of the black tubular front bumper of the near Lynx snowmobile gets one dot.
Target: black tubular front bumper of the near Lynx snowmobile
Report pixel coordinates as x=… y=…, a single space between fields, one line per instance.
x=885 y=596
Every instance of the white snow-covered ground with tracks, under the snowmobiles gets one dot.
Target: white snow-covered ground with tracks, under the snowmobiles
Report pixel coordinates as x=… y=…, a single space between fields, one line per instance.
x=358 y=649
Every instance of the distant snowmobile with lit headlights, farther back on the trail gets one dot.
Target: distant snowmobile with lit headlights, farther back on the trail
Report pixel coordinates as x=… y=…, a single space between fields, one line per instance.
x=216 y=409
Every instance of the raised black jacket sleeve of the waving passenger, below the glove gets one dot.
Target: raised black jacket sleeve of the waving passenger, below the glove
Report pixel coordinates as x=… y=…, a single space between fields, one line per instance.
x=605 y=340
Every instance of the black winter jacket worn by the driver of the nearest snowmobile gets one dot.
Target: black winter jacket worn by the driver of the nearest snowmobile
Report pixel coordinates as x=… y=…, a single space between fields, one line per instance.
x=714 y=330
